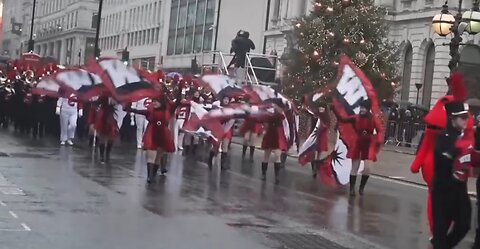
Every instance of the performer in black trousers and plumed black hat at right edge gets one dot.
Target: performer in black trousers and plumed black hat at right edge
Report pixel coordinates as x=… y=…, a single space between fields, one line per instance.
x=450 y=201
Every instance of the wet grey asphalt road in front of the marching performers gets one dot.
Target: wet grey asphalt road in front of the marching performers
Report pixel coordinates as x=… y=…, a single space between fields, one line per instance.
x=52 y=197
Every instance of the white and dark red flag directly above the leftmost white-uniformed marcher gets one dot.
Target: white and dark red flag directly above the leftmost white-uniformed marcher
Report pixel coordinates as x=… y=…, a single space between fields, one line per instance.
x=79 y=82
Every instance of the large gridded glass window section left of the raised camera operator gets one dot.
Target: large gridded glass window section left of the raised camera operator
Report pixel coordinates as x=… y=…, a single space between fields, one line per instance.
x=190 y=26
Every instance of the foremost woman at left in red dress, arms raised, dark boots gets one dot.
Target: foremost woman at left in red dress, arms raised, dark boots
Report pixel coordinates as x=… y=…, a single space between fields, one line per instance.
x=158 y=138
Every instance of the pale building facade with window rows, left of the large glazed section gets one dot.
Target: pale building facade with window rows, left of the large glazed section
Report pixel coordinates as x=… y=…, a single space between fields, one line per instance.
x=134 y=25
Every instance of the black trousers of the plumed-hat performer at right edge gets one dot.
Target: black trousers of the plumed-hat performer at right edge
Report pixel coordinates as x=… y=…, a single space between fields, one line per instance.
x=450 y=206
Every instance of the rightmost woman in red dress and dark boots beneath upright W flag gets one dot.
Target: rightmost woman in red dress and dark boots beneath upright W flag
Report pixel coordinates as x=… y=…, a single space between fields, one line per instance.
x=369 y=139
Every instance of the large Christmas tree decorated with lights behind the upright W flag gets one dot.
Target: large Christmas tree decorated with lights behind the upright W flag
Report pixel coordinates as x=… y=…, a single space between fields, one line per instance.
x=356 y=28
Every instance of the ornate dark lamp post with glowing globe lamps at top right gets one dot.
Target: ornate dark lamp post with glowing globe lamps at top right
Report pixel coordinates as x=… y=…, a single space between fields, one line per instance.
x=445 y=23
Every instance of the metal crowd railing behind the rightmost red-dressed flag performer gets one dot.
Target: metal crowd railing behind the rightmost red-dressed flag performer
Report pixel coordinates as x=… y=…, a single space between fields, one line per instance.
x=407 y=134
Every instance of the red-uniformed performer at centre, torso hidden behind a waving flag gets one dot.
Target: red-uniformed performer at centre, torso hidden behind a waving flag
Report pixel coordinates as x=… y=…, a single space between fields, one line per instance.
x=225 y=142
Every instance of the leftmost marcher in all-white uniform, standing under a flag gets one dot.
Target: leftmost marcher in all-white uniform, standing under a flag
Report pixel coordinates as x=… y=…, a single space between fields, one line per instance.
x=69 y=112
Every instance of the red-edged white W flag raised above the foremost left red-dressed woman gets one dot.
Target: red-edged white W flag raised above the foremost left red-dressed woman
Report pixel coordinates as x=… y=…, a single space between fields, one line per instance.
x=124 y=82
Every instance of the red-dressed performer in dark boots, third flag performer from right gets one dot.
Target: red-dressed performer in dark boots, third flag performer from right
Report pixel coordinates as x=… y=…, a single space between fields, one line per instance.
x=274 y=140
